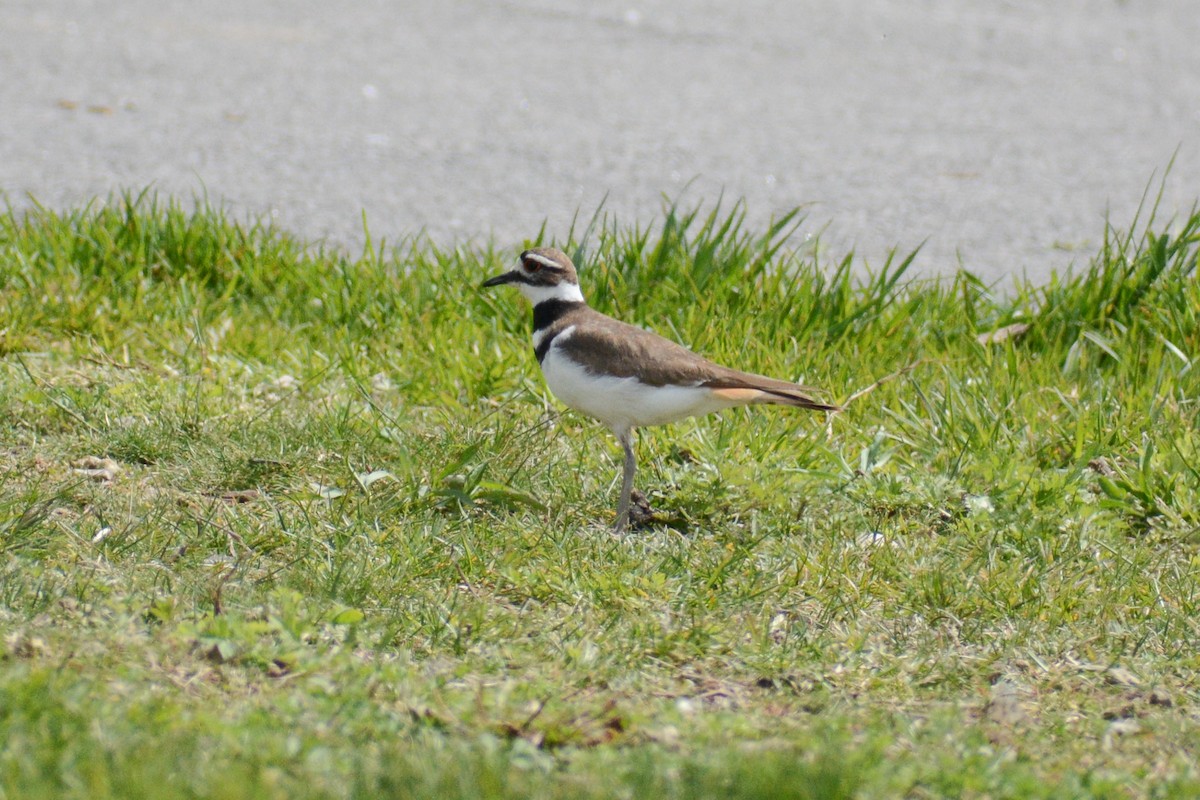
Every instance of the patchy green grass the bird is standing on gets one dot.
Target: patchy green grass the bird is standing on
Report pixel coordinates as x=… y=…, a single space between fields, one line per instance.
x=352 y=549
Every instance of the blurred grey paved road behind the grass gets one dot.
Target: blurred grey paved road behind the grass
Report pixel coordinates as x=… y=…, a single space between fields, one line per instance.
x=1001 y=131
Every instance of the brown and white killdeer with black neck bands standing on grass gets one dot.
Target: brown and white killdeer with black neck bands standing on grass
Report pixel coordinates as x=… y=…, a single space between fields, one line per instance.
x=623 y=376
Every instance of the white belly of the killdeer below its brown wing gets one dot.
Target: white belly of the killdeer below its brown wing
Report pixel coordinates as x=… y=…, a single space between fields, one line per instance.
x=623 y=402
